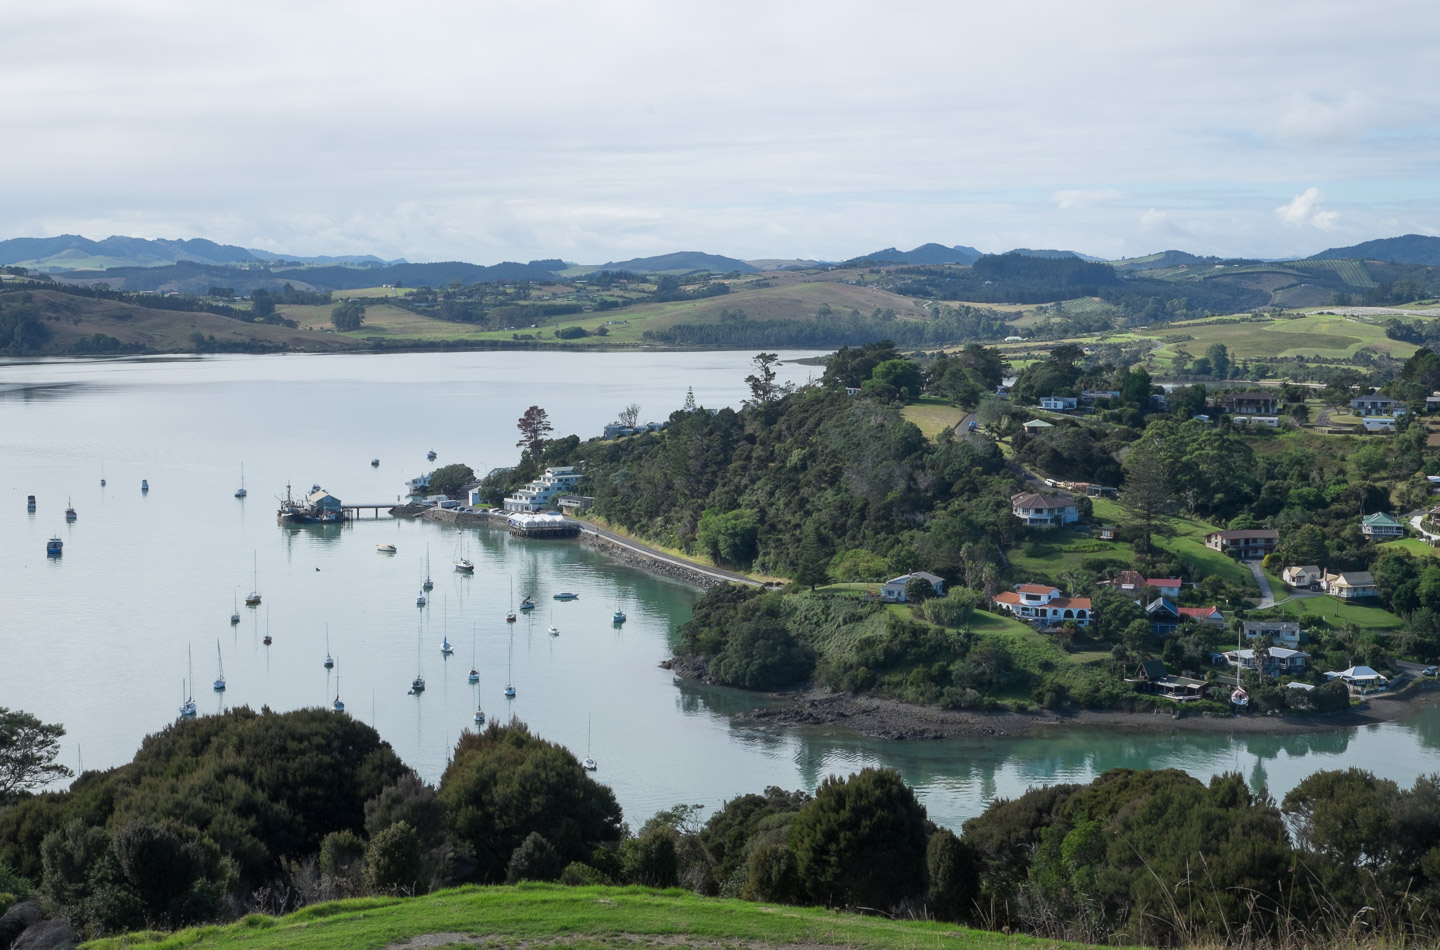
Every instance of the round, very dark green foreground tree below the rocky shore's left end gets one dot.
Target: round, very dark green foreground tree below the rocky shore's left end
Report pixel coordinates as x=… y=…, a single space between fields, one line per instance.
x=862 y=841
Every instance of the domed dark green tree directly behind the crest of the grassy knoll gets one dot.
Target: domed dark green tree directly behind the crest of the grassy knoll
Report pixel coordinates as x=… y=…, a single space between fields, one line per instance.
x=506 y=784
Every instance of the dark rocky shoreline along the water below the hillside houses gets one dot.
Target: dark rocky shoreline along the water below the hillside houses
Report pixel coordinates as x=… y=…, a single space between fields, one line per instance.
x=879 y=718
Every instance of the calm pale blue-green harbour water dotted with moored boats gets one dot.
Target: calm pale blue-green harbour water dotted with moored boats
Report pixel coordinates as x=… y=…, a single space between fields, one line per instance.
x=99 y=640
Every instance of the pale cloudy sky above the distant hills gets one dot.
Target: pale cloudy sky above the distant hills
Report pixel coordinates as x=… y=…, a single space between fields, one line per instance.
x=498 y=130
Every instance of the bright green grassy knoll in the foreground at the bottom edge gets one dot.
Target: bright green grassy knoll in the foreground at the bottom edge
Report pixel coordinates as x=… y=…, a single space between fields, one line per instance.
x=570 y=918
